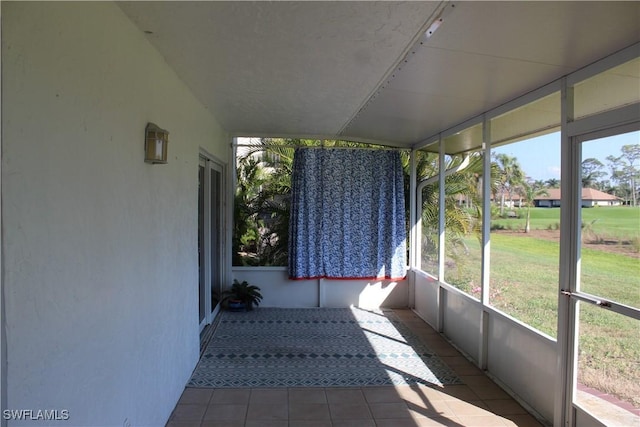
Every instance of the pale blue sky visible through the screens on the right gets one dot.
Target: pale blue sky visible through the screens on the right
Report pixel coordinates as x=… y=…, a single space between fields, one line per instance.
x=539 y=157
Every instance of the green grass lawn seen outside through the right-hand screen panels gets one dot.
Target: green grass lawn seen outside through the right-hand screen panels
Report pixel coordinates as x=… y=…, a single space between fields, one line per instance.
x=524 y=284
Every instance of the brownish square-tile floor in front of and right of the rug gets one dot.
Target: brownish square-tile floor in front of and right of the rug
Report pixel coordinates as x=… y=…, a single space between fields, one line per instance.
x=477 y=402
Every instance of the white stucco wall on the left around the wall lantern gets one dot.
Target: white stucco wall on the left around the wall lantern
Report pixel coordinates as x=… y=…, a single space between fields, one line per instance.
x=100 y=248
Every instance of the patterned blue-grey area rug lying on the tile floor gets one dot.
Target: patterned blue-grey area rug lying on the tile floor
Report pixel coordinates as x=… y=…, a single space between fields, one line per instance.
x=324 y=347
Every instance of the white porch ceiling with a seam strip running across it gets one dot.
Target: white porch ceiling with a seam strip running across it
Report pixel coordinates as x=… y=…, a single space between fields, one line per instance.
x=366 y=70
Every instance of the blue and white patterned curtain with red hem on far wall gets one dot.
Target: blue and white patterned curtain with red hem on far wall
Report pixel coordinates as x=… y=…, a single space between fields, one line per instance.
x=347 y=215
